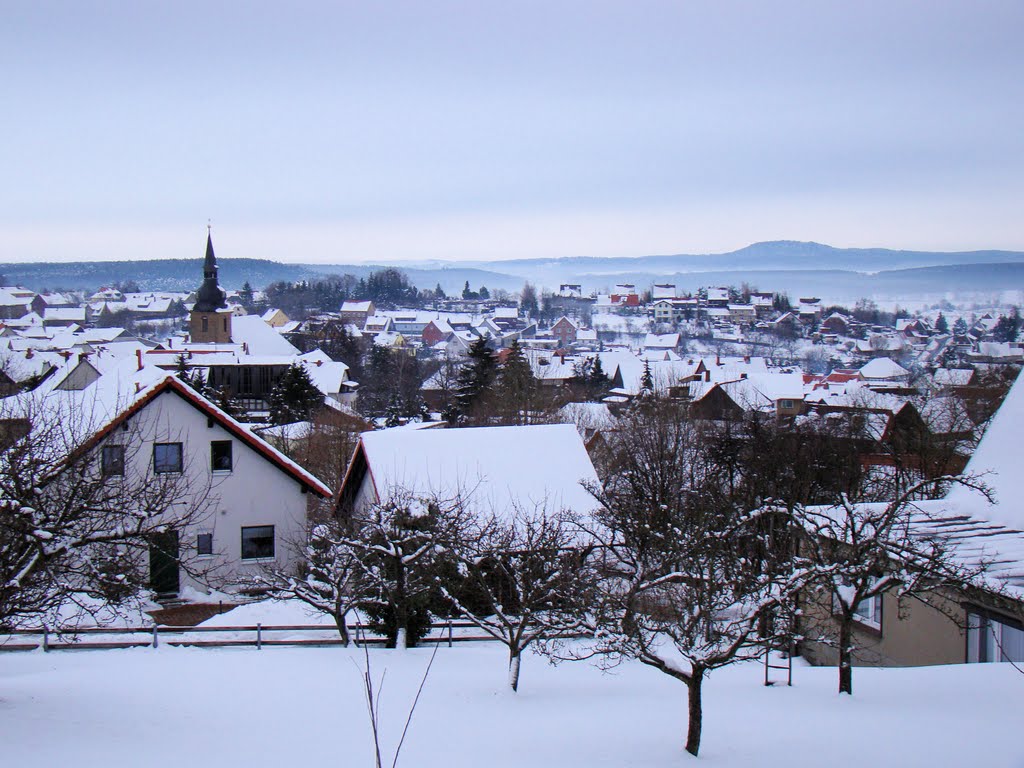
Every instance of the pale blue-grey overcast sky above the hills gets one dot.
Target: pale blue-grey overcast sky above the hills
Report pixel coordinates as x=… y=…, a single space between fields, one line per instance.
x=348 y=133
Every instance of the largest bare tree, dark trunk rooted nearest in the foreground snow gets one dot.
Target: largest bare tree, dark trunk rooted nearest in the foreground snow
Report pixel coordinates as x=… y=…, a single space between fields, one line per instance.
x=690 y=582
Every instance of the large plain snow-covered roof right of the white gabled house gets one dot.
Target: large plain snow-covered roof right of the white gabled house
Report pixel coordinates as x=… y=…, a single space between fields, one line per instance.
x=492 y=470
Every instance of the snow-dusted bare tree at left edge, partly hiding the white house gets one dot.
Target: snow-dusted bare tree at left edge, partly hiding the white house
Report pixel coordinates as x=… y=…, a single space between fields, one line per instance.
x=78 y=516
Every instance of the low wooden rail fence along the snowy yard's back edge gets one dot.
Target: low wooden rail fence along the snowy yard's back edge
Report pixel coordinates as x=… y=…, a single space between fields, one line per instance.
x=157 y=634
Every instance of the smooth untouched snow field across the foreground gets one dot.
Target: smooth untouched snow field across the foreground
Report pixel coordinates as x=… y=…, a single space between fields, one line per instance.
x=290 y=707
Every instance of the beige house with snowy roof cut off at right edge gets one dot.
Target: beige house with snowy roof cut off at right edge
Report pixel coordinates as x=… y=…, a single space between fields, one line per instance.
x=986 y=623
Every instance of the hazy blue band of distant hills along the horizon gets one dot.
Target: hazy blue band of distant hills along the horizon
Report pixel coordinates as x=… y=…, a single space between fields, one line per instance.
x=783 y=266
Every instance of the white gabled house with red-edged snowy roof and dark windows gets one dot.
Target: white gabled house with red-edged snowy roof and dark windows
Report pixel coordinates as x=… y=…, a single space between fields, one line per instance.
x=143 y=424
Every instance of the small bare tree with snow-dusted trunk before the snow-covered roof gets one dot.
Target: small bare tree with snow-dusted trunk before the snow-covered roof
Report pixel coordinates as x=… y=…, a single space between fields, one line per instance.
x=525 y=580
